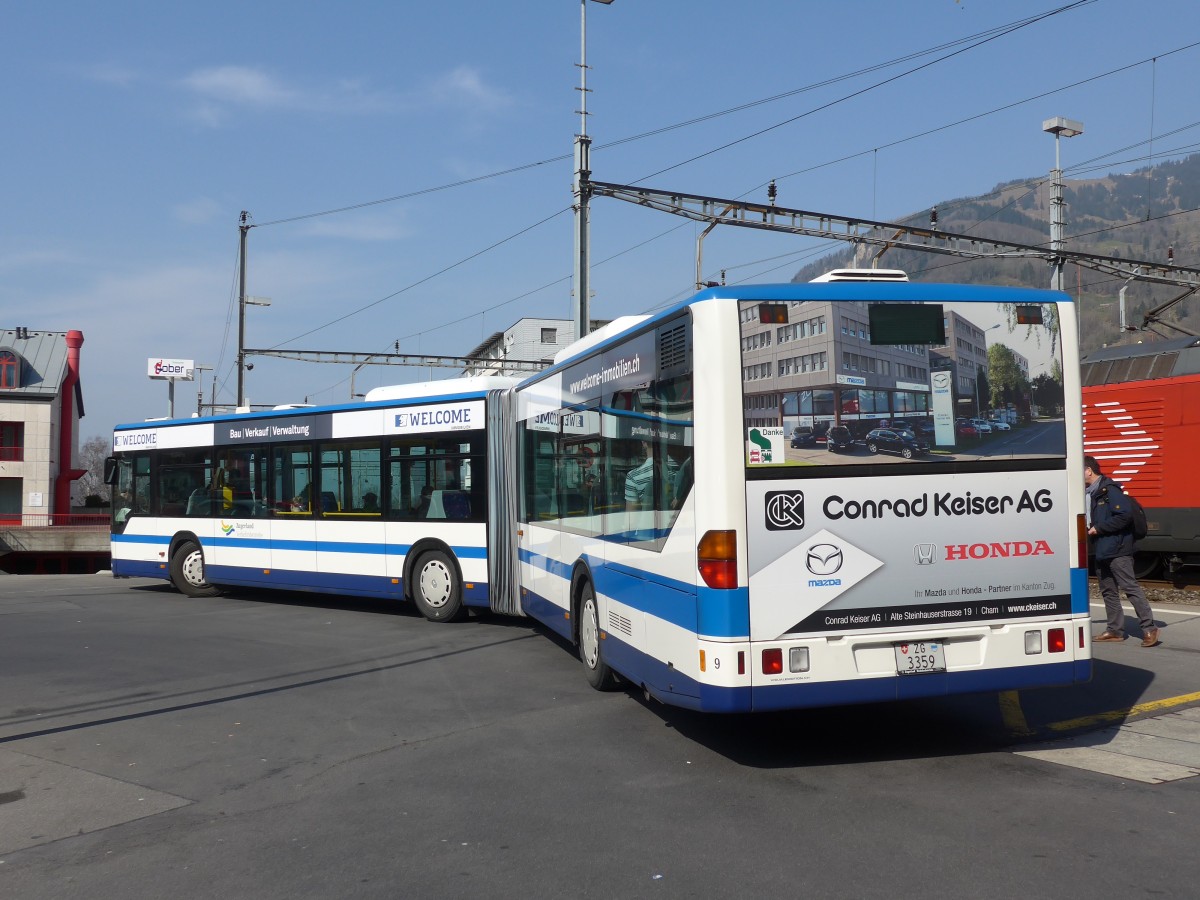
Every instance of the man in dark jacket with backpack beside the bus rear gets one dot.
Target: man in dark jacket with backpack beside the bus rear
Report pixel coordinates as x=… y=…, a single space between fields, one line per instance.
x=1111 y=533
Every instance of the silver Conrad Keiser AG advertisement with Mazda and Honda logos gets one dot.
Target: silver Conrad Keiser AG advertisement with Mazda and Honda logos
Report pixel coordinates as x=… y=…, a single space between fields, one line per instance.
x=838 y=555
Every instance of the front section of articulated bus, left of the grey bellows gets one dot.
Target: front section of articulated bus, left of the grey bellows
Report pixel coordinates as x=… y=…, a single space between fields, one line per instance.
x=388 y=497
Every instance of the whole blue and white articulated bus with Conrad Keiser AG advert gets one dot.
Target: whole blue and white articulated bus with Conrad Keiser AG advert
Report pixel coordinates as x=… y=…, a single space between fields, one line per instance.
x=641 y=500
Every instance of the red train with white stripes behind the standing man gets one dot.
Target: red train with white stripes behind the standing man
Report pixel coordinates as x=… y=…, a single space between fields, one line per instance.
x=1142 y=422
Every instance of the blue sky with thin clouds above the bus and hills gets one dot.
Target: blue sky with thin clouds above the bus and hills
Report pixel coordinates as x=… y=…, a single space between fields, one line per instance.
x=407 y=166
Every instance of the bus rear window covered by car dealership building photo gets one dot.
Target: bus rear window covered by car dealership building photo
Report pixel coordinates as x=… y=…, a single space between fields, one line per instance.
x=853 y=382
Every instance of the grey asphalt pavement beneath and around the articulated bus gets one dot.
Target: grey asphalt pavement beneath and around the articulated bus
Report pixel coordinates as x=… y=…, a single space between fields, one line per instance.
x=290 y=746
